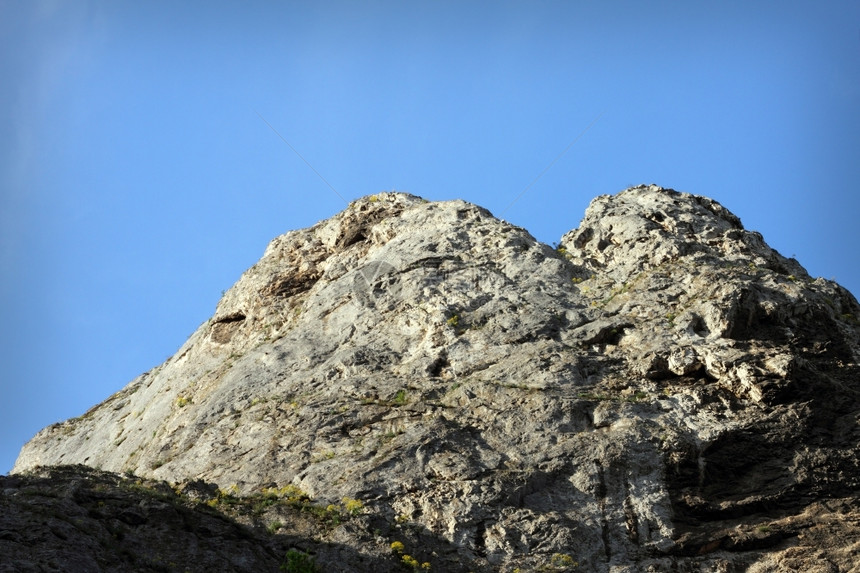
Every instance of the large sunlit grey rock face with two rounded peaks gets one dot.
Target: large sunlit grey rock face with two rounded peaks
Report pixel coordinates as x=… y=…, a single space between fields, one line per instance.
x=663 y=390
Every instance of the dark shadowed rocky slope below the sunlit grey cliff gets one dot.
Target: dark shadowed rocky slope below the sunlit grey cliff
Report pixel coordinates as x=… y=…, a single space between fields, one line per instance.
x=77 y=519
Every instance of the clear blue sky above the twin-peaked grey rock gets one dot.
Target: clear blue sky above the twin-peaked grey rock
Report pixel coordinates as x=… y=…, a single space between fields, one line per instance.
x=137 y=181
